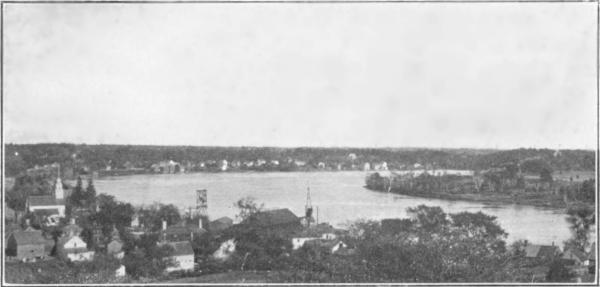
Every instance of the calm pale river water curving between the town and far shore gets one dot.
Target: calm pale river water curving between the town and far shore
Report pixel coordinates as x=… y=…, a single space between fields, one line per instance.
x=340 y=197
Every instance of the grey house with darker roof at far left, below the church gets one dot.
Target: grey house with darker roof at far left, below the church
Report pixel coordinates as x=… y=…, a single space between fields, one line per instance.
x=27 y=245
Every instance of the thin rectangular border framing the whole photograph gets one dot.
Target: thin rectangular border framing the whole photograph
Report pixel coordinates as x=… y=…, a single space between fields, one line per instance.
x=298 y=2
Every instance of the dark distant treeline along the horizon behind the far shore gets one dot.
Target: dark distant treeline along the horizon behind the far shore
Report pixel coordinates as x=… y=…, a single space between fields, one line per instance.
x=20 y=157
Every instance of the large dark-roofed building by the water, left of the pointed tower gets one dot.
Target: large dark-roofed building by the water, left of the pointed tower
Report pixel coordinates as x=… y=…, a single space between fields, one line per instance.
x=275 y=219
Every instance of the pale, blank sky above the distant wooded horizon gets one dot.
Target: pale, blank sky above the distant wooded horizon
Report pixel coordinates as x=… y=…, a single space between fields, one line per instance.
x=478 y=75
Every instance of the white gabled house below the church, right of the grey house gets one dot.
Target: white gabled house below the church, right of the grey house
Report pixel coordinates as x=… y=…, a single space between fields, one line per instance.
x=71 y=247
